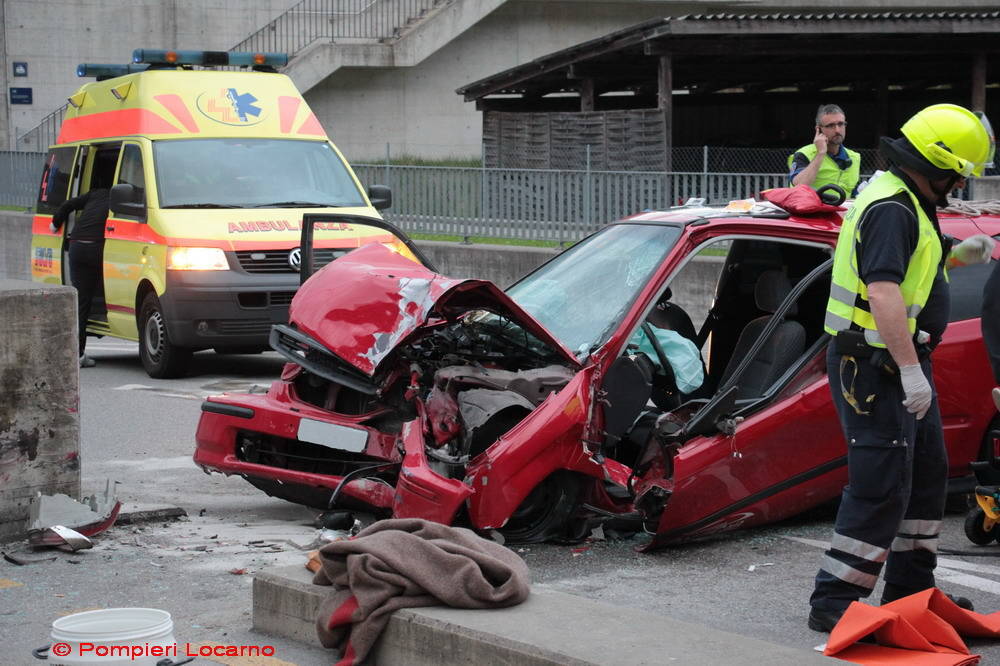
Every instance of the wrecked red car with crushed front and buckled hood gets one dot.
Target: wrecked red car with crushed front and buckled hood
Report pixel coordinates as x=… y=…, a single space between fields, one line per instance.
x=551 y=407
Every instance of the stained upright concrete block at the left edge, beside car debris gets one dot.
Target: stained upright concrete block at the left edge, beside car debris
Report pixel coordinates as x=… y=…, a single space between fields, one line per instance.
x=39 y=398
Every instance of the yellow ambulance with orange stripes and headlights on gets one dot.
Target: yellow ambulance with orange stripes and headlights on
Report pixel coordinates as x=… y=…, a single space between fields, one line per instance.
x=212 y=172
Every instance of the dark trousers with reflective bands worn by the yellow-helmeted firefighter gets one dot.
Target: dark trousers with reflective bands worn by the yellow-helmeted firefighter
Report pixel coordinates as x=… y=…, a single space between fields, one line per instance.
x=892 y=507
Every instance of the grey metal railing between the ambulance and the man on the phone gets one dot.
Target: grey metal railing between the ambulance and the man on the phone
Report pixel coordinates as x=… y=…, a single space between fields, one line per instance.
x=542 y=204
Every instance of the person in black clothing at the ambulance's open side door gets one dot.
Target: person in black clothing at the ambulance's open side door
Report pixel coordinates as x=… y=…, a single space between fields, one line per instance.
x=86 y=253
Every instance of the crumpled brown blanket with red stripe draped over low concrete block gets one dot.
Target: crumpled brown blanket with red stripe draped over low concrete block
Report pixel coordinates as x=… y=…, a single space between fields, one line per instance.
x=407 y=563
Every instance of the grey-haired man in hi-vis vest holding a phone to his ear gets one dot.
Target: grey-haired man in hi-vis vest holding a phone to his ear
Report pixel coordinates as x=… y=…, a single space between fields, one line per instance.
x=826 y=160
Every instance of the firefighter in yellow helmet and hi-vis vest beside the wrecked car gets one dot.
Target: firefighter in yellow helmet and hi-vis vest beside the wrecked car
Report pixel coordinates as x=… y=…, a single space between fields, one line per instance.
x=888 y=308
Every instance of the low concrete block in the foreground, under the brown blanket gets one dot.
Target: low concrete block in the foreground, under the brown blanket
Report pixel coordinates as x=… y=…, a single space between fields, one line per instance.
x=550 y=628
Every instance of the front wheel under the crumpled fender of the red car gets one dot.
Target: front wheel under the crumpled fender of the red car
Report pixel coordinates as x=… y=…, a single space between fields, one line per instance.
x=545 y=512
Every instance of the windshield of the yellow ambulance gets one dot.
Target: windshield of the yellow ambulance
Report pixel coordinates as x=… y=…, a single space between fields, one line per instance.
x=252 y=173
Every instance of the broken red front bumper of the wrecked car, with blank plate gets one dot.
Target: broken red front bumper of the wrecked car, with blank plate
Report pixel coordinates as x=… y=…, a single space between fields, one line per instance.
x=229 y=426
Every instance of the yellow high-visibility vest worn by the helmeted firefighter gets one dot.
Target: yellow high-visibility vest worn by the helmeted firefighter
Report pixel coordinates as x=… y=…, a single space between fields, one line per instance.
x=848 y=302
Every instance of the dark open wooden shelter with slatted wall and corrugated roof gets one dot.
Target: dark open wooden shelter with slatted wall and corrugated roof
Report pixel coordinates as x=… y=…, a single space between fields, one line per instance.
x=752 y=80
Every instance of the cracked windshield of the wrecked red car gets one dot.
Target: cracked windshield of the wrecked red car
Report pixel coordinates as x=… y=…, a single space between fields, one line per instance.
x=582 y=295
